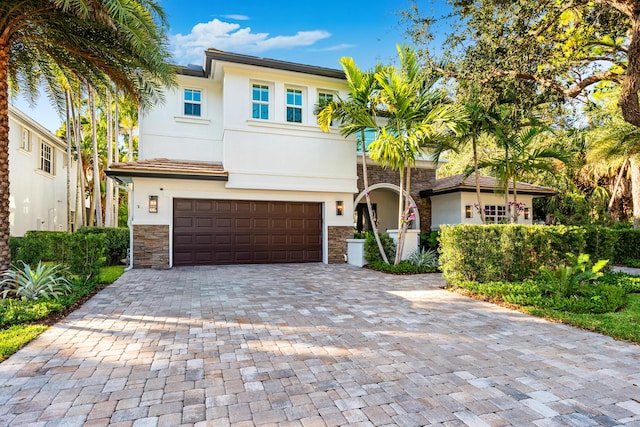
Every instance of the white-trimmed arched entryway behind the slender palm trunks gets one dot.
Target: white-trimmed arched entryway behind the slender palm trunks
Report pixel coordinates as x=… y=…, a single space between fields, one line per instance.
x=384 y=200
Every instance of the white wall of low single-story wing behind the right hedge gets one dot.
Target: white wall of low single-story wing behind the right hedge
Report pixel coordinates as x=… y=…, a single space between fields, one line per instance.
x=452 y=208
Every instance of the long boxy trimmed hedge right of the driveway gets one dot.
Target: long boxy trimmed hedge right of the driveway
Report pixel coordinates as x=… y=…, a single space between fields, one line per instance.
x=493 y=253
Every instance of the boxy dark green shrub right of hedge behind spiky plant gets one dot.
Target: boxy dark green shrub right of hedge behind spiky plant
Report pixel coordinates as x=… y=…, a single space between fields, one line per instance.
x=87 y=254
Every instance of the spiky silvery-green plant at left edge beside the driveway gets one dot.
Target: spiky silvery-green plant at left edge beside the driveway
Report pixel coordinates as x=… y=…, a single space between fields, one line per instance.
x=43 y=281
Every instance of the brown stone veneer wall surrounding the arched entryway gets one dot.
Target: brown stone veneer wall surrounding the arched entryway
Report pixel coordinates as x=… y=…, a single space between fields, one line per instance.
x=421 y=179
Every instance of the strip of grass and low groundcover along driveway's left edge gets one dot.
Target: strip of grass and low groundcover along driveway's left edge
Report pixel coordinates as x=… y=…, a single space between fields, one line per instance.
x=21 y=322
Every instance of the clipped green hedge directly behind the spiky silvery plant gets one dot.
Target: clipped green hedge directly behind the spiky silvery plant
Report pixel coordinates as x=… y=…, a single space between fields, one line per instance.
x=38 y=246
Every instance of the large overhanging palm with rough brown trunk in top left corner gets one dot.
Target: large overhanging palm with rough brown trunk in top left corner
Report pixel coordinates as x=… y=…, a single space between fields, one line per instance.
x=92 y=40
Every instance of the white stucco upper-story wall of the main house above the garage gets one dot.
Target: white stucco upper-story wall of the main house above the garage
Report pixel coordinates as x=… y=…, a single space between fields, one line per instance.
x=268 y=153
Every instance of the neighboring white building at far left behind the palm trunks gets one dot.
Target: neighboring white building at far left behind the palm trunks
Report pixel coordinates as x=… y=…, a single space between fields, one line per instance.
x=37 y=176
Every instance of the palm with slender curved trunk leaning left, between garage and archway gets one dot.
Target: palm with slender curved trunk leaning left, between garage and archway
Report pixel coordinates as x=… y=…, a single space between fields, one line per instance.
x=356 y=115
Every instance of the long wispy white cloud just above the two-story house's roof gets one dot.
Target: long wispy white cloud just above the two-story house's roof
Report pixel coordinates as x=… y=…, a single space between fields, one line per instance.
x=232 y=37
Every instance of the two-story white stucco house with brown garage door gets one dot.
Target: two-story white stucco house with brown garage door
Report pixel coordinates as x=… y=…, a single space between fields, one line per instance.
x=233 y=168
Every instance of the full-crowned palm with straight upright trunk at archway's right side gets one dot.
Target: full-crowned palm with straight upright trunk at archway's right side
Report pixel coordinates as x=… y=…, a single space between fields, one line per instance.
x=416 y=115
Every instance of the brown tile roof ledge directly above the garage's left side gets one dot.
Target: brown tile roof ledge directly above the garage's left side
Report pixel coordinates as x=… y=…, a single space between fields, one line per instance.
x=167 y=167
